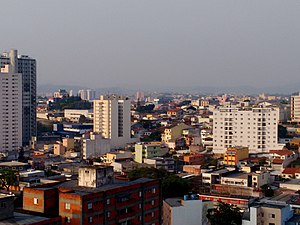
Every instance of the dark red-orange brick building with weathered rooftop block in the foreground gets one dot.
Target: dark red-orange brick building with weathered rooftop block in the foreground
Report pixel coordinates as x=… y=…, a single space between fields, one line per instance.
x=107 y=202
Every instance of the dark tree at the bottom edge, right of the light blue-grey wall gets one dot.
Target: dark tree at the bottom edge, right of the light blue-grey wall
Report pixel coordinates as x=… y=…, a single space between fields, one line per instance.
x=225 y=214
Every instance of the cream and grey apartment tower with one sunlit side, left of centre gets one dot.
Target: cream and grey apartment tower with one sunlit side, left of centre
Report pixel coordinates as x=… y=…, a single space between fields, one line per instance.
x=112 y=119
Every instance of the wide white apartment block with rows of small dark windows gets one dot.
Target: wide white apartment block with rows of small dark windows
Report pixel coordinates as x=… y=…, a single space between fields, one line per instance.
x=256 y=128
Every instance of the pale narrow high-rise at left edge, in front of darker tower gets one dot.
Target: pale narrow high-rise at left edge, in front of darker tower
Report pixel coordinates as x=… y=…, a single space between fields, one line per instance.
x=10 y=110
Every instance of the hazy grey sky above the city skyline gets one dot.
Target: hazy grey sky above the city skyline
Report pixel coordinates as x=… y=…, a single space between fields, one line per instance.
x=133 y=43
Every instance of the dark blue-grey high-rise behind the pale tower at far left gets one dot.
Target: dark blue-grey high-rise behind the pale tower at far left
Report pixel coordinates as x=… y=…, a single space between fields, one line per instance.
x=27 y=67
